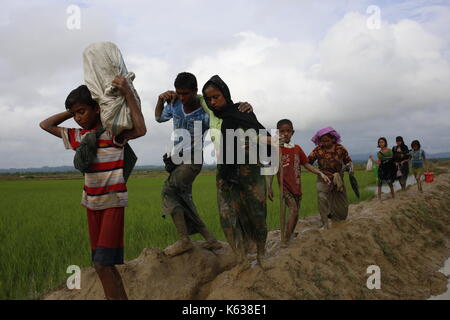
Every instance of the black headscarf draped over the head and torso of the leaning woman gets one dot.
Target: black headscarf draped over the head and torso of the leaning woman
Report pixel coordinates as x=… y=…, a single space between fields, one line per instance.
x=232 y=118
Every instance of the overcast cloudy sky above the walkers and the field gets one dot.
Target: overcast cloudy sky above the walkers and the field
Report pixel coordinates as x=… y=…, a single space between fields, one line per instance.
x=317 y=63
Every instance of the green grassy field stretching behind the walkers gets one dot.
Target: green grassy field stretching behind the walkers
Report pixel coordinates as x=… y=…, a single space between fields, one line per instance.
x=43 y=228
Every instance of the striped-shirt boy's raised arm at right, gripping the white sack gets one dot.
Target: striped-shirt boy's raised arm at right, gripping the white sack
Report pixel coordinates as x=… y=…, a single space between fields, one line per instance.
x=139 y=128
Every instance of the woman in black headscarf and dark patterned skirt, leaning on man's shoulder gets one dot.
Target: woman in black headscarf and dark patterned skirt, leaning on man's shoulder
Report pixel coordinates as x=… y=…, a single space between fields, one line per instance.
x=241 y=189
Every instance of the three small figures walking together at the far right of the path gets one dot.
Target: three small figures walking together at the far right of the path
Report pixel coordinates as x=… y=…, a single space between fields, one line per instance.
x=393 y=164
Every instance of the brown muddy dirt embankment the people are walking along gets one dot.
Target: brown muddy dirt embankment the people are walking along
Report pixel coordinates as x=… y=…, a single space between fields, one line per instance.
x=408 y=238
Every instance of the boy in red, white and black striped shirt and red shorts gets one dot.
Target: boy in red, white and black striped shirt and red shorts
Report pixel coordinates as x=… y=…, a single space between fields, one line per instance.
x=104 y=193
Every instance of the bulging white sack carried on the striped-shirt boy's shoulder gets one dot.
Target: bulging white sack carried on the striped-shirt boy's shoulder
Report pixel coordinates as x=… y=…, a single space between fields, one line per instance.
x=102 y=62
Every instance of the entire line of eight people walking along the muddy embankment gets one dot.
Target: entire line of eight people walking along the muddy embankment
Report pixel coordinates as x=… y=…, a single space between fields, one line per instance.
x=242 y=190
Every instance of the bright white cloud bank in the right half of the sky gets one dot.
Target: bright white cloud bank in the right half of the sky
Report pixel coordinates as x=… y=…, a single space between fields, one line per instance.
x=354 y=75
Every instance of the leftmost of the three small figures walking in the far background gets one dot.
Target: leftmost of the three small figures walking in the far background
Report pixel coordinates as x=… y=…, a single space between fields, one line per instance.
x=386 y=167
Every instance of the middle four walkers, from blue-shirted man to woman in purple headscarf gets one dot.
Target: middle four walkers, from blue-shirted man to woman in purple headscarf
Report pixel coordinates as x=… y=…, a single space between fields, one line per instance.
x=241 y=188
